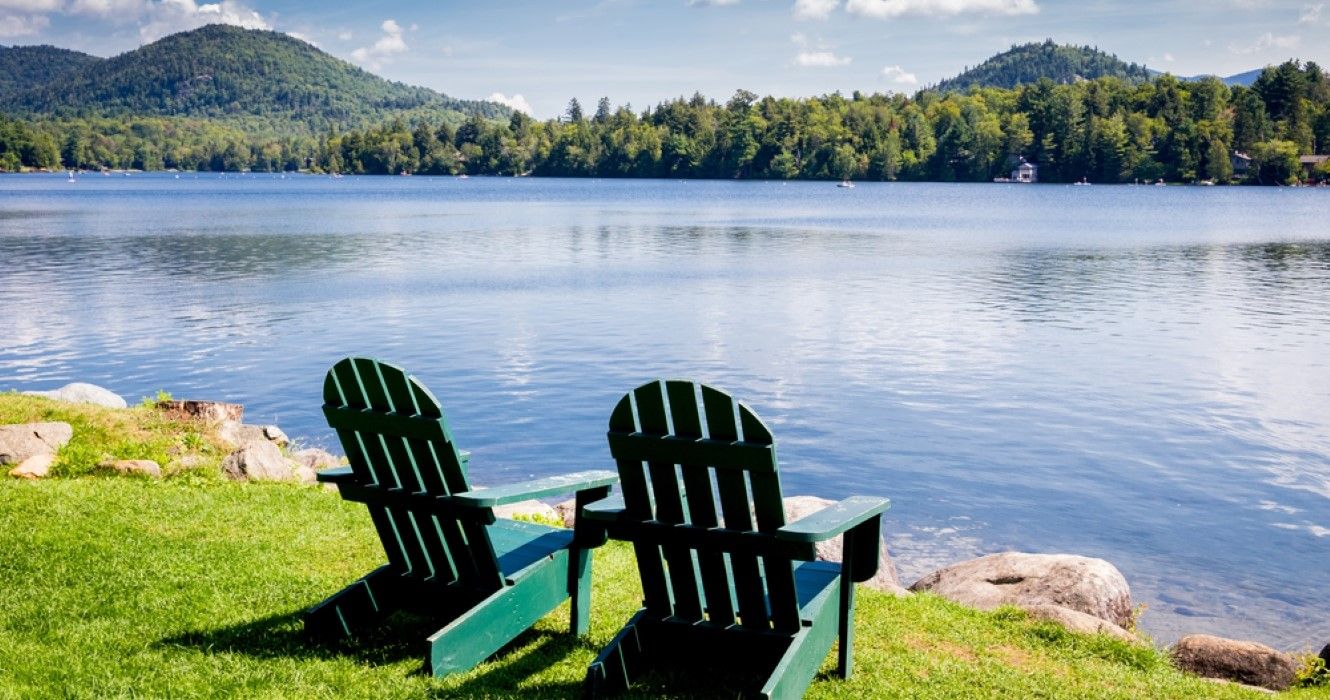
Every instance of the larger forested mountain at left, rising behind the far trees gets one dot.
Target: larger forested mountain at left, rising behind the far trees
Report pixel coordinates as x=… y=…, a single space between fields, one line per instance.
x=225 y=73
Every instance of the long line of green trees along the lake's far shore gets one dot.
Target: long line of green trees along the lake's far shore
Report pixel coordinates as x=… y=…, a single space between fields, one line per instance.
x=1105 y=131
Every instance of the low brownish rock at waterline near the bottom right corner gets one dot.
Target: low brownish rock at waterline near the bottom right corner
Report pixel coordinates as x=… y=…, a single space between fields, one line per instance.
x=1248 y=663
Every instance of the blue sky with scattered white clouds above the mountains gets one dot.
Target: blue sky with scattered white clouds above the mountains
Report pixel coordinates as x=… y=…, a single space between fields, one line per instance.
x=539 y=54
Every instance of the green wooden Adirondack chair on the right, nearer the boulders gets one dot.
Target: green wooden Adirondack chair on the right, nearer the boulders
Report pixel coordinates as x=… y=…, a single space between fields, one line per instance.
x=722 y=590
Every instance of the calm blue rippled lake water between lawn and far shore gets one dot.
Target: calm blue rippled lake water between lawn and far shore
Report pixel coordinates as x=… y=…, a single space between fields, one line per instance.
x=1134 y=373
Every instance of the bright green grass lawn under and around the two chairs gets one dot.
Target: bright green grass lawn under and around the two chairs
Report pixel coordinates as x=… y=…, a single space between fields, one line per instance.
x=194 y=588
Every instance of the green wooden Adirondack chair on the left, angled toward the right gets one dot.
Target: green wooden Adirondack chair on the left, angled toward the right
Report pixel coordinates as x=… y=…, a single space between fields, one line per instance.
x=483 y=580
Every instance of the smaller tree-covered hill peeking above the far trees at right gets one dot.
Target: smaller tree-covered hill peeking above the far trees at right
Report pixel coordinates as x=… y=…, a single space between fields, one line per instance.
x=1029 y=63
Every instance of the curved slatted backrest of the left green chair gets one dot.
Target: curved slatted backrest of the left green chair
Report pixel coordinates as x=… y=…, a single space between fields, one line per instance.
x=402 y=453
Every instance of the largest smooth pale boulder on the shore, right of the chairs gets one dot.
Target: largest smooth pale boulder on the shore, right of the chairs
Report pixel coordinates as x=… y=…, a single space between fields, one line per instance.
x=1081 y=584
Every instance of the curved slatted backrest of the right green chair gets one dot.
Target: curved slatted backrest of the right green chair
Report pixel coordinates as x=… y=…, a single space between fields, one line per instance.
x=683 y=449
